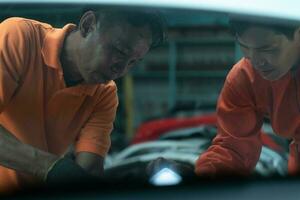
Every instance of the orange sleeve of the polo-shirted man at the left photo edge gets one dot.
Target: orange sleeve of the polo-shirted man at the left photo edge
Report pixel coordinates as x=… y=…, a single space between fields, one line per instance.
x=14 y=48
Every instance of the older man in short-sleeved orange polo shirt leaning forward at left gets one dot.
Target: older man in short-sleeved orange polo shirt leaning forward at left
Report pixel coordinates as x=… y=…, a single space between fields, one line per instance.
x=57 y=89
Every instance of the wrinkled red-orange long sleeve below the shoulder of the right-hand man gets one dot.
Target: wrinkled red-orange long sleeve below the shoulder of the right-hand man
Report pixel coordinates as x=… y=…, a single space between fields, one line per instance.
x=237 y=146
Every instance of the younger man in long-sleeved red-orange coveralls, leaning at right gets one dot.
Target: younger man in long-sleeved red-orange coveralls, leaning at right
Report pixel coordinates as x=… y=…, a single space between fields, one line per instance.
x=265 y=83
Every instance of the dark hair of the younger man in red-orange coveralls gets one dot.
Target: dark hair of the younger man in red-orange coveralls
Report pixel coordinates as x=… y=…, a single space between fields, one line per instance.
x=238 y=25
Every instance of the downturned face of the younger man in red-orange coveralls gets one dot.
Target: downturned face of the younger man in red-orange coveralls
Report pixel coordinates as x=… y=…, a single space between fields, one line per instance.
x=271 y=54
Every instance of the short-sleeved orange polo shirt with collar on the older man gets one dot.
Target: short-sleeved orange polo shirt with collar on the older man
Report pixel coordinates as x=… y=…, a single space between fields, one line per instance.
x=35 y=104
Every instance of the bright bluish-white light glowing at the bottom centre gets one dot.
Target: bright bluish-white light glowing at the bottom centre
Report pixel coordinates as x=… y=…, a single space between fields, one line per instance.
x=164 y=177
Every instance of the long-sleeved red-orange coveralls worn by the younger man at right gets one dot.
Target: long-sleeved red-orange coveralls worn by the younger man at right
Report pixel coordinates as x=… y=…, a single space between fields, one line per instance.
x=245 y=100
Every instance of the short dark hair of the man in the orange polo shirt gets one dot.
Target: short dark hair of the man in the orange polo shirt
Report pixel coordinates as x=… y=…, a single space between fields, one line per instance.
x=138 y=17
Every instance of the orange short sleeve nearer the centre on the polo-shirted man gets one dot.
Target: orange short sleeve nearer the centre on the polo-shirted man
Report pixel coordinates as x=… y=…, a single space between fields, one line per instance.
x=95 y=135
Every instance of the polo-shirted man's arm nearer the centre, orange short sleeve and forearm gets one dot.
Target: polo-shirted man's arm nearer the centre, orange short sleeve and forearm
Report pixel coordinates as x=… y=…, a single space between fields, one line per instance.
x=93 y=142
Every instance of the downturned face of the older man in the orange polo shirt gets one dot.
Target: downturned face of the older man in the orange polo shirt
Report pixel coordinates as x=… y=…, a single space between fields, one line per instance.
x=108 y=53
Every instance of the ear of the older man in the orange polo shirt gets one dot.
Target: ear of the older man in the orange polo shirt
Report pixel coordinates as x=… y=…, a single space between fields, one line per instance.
x=87 y=23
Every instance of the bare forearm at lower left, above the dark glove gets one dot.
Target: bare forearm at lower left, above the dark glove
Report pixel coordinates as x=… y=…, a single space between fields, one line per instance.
x=23 y=157
